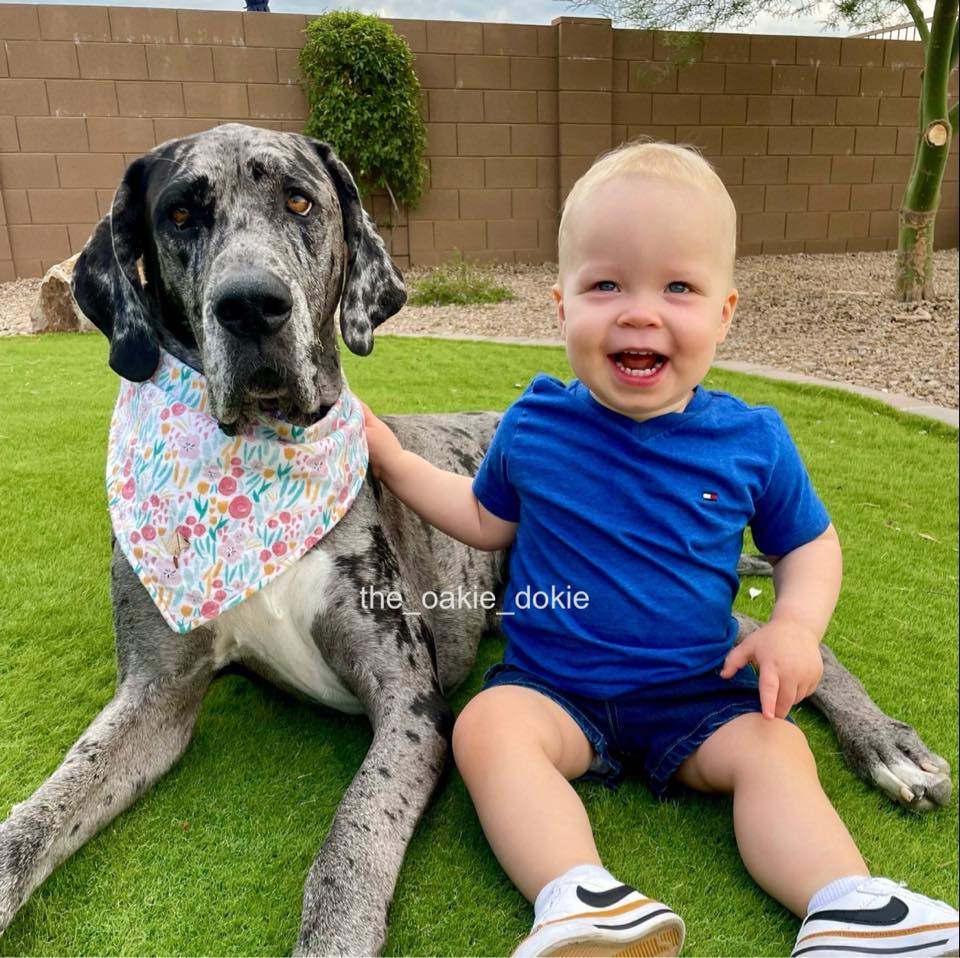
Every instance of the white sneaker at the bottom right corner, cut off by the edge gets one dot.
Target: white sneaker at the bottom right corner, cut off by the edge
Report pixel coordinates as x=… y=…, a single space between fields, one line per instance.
x=880 y=917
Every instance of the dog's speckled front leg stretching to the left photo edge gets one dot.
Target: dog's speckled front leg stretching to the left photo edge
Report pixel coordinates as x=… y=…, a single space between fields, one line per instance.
x=137 y=737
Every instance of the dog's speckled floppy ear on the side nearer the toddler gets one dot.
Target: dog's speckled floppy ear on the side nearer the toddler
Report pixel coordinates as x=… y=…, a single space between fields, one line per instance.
x=373 y=289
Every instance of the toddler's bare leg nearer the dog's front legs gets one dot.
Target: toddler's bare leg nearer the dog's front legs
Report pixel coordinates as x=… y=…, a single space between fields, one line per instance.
x=517 y=750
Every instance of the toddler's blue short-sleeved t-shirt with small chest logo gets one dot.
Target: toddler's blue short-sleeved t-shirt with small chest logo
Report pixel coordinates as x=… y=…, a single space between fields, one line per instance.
x=646 y=520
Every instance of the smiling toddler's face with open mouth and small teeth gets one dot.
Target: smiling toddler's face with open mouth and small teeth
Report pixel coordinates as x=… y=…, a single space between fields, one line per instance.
x=645 y=292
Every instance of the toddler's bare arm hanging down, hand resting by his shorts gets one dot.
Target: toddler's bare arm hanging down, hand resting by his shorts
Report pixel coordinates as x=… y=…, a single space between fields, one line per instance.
x=786 y=650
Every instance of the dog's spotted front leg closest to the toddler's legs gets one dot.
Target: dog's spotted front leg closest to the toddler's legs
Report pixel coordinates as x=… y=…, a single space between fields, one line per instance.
x=350 y=886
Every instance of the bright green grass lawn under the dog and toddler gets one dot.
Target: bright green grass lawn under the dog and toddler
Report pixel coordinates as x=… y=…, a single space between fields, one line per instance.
x=213 y=859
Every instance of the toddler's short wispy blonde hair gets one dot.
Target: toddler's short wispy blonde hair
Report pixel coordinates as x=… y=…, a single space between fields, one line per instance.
x=663 y=161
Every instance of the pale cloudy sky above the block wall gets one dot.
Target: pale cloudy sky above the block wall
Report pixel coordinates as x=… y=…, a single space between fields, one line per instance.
x=490 y=11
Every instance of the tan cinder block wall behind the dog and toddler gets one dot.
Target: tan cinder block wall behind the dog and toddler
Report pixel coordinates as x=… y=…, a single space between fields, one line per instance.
x=813 y=136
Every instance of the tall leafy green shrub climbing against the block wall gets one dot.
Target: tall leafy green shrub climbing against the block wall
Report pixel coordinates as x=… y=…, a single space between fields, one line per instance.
x=364 y=100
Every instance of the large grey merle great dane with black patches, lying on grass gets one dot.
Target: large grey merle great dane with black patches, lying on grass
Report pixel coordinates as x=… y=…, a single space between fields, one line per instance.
x=271 y=223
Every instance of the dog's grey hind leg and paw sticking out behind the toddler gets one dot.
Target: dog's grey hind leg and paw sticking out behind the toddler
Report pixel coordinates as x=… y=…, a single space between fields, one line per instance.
x=881 y=750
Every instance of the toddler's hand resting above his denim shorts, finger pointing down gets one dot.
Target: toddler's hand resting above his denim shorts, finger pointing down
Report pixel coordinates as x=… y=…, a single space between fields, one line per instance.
x=787 y=656
